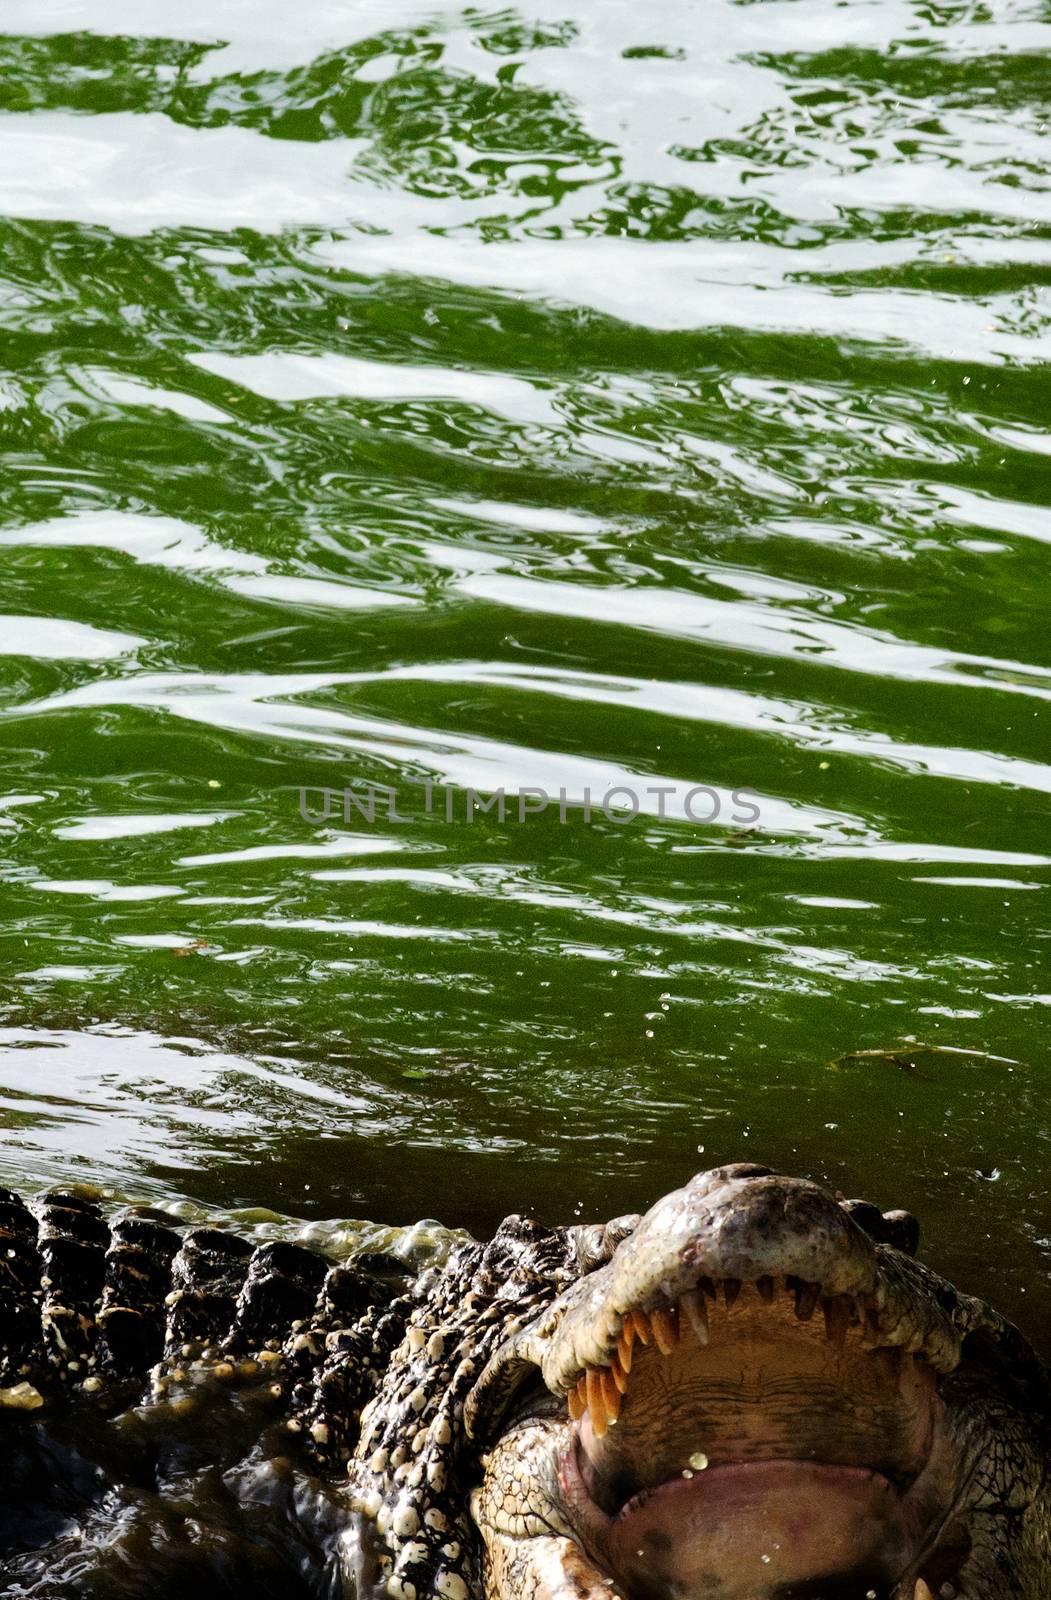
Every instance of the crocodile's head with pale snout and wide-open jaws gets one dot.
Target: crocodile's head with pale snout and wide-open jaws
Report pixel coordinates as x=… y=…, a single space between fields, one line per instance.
x=767 y=1398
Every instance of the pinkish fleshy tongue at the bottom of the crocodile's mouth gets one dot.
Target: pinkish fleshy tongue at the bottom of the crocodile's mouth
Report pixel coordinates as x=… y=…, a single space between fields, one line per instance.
x=753 y=1532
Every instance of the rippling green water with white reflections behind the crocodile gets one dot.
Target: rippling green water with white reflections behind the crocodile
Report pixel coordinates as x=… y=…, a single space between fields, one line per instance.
x=577 y=398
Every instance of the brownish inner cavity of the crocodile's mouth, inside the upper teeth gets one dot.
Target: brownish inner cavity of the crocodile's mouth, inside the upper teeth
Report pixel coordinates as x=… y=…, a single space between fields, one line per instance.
x=781 y=1458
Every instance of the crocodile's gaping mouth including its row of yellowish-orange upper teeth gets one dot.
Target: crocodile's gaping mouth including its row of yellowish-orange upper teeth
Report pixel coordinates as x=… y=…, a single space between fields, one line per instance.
x=762 y=1439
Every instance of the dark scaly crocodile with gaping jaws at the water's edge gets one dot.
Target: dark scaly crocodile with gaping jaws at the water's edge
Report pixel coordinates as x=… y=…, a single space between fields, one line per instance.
x=753 y=1393
